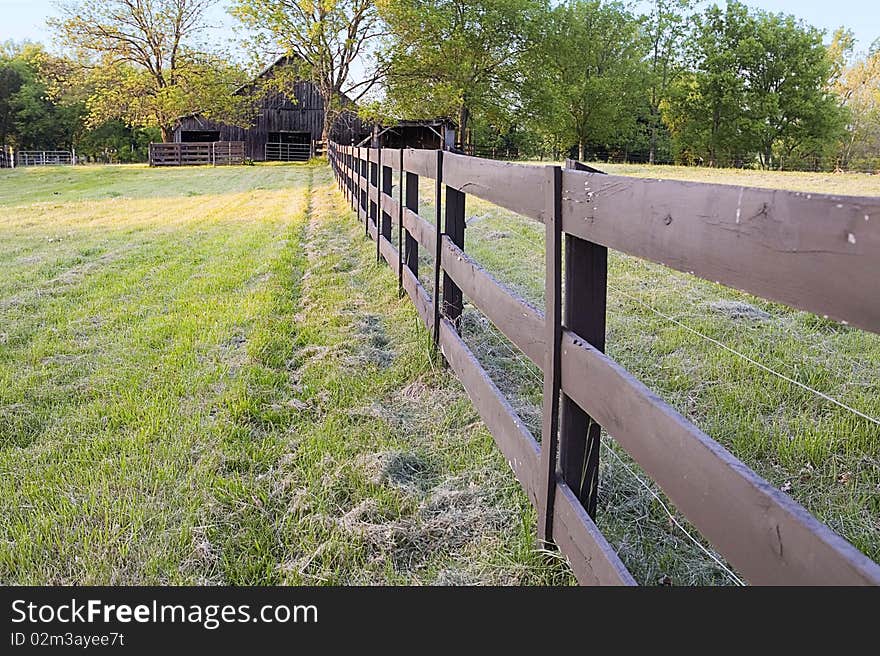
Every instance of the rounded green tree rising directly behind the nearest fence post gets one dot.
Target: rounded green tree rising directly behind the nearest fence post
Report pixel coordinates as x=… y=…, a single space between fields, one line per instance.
x=587 y=75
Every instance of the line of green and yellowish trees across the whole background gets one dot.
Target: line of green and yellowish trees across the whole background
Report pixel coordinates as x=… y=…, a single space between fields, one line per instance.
x=718 y=85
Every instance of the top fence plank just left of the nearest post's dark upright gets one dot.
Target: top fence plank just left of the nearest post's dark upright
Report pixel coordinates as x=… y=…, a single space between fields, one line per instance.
x=520 y=188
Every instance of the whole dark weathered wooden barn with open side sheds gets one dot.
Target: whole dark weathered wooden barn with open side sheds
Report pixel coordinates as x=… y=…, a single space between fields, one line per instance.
x=285 y=128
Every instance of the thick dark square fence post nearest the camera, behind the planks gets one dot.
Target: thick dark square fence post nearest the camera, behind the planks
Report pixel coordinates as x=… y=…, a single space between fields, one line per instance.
x=586 y=279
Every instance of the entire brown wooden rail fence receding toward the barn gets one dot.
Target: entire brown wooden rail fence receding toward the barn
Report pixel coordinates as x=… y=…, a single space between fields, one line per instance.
x=815 y=252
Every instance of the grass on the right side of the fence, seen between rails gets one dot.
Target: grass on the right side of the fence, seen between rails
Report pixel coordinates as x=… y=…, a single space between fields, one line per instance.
x=822 y=454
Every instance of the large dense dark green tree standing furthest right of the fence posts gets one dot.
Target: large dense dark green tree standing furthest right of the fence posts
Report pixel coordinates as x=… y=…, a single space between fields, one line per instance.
x=760 y=88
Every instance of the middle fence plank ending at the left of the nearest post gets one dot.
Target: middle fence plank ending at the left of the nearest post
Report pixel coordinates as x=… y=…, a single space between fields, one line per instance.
x=522 y=323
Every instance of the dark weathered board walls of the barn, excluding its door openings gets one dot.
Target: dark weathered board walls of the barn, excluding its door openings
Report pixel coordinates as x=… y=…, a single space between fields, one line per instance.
x=279 y=114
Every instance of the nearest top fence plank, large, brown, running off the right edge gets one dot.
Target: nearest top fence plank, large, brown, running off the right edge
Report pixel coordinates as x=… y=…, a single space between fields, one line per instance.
x=814 y=252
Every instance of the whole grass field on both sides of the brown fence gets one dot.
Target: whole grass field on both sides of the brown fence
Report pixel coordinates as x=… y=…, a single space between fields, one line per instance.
x=205 y=378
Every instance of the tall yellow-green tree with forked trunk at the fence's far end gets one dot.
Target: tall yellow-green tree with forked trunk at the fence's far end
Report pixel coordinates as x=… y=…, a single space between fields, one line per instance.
x=322 y=40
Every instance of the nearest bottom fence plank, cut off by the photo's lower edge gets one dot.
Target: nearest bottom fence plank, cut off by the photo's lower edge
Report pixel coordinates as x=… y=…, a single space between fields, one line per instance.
x=592 y=559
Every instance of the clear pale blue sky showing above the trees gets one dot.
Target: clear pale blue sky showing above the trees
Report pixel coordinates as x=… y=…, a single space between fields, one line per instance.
x=24 y=19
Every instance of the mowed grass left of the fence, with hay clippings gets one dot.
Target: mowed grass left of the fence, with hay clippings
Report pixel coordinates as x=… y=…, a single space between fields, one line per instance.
x=206 y=378
